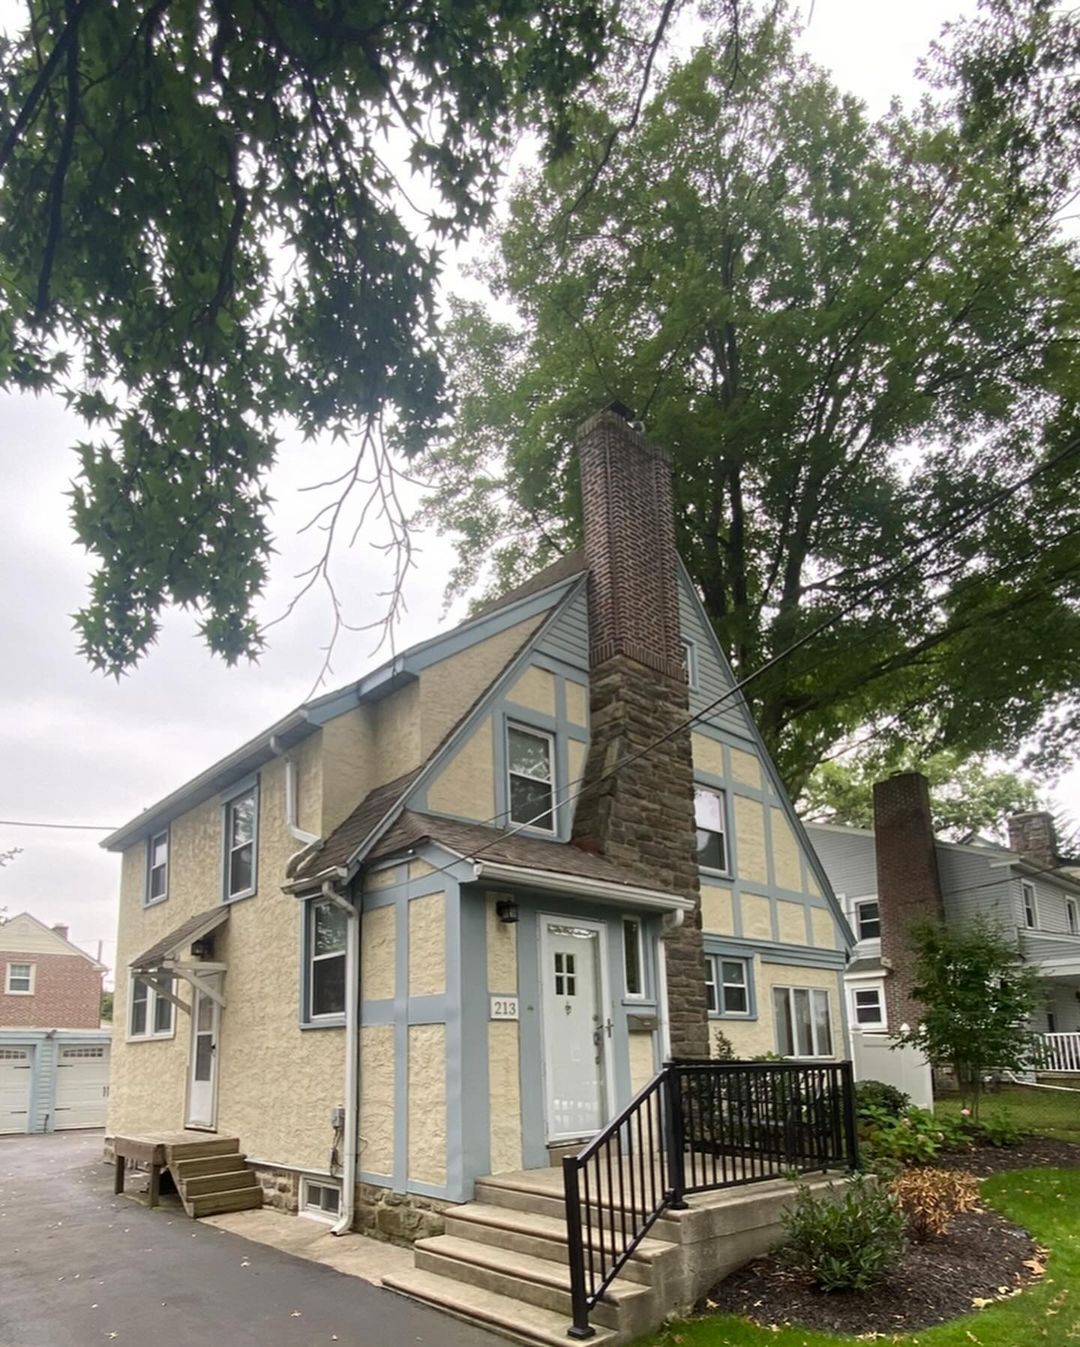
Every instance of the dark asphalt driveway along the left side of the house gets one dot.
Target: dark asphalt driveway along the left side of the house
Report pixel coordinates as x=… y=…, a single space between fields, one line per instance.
x=80 y=1267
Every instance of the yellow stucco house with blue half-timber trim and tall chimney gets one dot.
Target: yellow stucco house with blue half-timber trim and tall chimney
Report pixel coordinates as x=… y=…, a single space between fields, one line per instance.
x=445 y=922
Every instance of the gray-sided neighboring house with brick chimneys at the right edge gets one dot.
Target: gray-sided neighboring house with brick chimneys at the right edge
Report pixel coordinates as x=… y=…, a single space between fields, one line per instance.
x=893 y=869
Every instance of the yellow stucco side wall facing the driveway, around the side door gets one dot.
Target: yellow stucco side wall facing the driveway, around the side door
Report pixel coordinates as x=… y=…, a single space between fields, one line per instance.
x=261 y=1032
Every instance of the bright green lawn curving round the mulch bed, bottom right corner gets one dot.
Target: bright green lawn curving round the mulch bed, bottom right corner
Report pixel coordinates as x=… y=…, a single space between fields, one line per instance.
x=1043 y=1201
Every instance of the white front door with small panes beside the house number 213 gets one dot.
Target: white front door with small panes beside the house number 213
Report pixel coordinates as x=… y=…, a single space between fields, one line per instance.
x=577 y=1031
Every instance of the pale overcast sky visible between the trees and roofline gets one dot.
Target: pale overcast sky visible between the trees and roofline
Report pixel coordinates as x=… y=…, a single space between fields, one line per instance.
x=77 y=748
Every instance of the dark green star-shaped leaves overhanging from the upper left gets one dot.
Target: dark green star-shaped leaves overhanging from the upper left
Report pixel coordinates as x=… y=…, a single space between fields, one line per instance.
x=199 y=204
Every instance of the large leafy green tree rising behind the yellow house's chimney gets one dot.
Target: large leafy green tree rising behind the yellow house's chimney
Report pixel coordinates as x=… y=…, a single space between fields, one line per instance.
x=848 y=332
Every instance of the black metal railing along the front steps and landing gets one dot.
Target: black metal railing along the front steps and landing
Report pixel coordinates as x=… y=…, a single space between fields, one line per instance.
x=698 y=1127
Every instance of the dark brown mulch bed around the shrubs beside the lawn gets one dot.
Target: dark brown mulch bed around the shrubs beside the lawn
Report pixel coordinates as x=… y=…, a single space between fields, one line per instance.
x=982 y=1259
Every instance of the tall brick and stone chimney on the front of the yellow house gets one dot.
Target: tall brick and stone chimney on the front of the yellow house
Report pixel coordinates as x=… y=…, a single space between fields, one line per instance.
x=643 y=817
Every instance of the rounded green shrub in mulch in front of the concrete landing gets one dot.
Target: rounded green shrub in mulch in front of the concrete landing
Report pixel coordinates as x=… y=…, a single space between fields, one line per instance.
x=845 y=1244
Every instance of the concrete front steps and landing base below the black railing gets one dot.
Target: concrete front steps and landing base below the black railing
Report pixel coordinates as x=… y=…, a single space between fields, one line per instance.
x=504 y=1264
